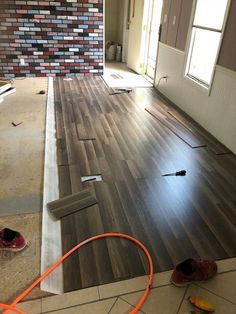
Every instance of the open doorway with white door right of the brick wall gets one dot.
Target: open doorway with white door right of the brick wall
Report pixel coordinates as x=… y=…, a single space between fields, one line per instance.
x=132 y=27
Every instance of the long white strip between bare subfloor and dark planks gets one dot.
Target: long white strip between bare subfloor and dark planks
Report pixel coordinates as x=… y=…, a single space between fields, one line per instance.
x=51 y=249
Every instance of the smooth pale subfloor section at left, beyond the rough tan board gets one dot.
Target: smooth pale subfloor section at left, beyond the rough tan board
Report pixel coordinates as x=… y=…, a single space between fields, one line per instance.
x=22 y=147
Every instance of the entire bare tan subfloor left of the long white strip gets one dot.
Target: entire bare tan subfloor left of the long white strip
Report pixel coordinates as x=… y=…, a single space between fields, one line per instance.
x=21 y=171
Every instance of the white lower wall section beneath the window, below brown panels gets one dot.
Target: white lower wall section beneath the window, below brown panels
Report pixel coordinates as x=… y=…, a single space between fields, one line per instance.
x=216 y=112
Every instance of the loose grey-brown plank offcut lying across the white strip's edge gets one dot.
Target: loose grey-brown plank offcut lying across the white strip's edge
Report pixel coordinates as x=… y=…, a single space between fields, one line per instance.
x=71 y=204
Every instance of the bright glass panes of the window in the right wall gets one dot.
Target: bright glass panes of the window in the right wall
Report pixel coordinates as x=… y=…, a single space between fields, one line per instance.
x=206 y=35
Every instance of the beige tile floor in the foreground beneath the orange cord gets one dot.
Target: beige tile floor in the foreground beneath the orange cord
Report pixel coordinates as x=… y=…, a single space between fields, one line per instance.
x=164 y=298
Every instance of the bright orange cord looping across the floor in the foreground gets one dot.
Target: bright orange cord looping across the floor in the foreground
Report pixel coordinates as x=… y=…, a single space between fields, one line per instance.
x=142 y=300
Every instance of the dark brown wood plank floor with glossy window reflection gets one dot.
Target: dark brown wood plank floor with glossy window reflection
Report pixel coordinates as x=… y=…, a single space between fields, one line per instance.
x=175 y=217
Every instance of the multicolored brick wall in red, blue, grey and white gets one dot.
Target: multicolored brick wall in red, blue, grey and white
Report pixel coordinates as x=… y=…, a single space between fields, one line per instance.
x=49 y=38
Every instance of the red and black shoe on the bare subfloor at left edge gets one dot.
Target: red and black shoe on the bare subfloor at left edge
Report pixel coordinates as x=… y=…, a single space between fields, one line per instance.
x=11 y=240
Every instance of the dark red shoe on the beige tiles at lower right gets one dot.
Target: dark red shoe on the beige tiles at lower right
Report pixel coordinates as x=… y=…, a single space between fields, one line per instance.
x=192 y=270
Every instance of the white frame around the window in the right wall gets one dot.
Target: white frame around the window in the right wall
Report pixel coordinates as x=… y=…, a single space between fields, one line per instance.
x=206 y=89
